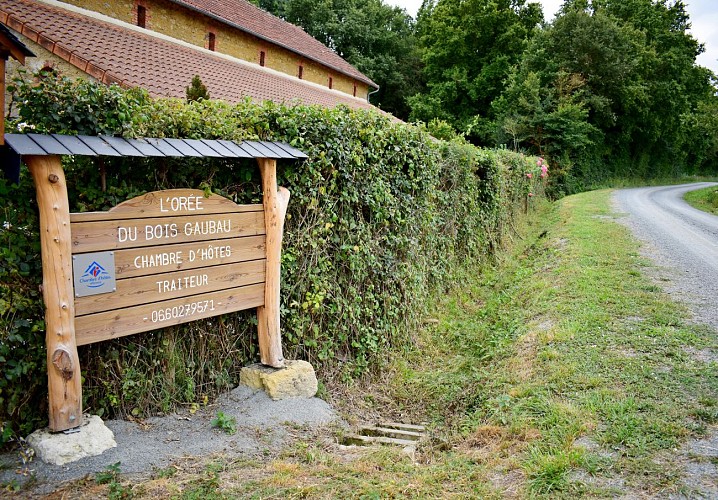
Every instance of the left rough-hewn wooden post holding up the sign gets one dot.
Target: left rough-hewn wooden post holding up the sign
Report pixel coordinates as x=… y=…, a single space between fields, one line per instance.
x=63 y=366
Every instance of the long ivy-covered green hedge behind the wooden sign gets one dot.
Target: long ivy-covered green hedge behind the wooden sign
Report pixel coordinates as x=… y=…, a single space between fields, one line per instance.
x=381 y=216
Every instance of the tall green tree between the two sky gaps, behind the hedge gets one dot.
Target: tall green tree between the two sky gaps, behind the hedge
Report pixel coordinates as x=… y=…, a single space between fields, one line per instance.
x=469 y=47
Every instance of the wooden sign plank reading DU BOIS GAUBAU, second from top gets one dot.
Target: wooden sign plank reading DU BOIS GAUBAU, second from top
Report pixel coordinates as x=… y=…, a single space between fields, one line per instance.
x=132 y=233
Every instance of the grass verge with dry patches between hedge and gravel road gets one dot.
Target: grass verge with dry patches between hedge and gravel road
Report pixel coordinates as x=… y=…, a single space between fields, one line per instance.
x=561 y=371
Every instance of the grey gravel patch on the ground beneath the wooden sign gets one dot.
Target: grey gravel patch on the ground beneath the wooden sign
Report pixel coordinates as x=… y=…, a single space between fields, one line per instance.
x=263 y=426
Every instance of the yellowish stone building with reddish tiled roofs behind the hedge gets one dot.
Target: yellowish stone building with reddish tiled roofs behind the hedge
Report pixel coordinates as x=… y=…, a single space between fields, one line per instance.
x=238 y=50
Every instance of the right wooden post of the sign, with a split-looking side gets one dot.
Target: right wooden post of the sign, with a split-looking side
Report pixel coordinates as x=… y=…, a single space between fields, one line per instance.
x=275 y=202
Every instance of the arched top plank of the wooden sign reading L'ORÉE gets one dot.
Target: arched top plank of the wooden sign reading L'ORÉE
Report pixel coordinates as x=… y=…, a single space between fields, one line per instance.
x=168 y=203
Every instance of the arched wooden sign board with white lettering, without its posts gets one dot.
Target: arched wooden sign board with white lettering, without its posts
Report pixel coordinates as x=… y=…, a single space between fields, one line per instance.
x=172 y=256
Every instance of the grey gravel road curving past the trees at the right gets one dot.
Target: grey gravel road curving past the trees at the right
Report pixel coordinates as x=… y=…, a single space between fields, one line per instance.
x=681 y=240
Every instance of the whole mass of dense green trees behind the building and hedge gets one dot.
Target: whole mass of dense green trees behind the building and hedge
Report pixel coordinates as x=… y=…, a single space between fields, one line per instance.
x=608 y=88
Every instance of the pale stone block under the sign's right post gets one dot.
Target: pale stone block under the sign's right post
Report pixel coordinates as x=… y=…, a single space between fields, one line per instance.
x=296 y=379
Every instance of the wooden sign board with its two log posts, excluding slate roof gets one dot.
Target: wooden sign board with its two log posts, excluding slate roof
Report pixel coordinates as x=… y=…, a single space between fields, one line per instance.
x=158 y=260
